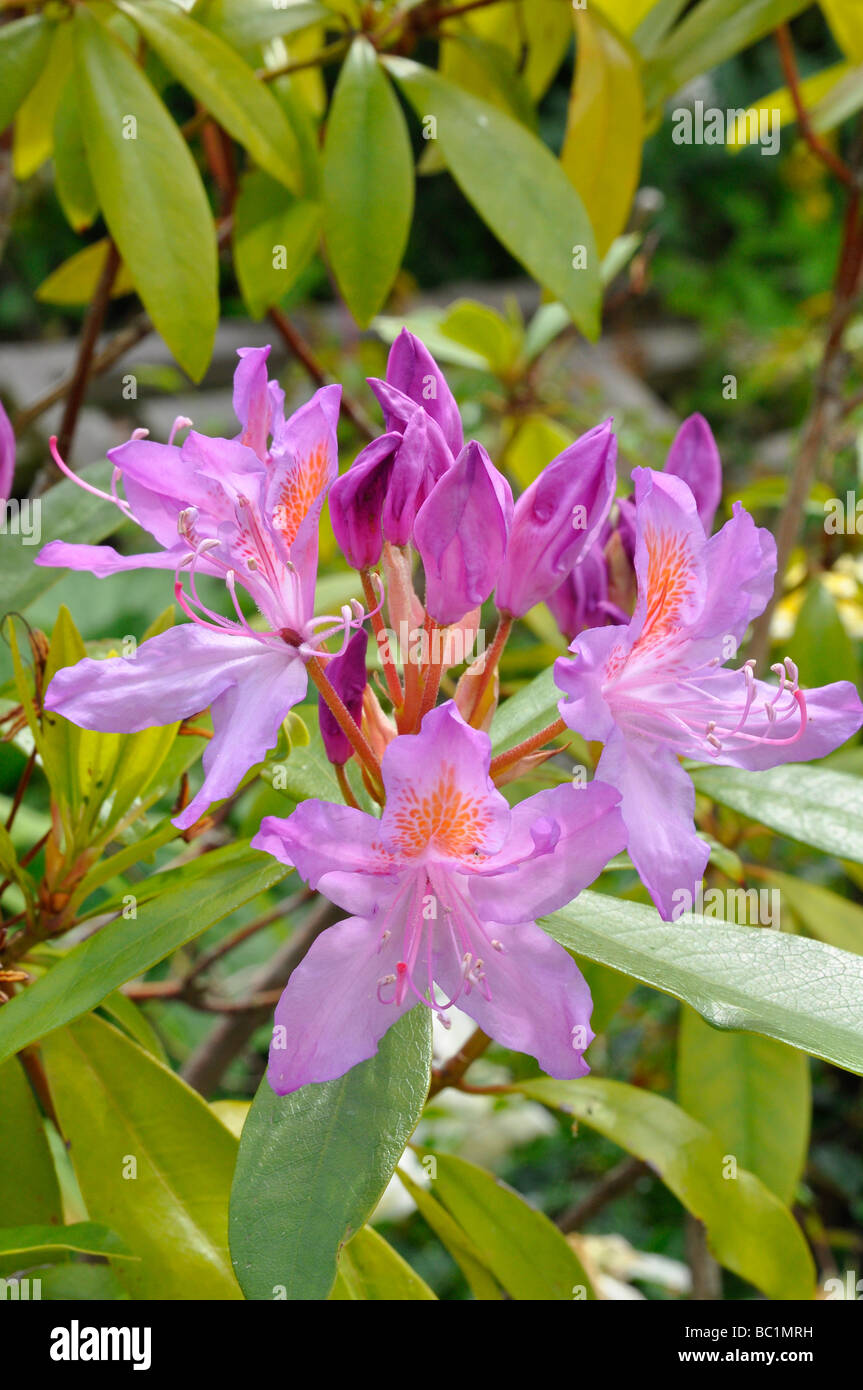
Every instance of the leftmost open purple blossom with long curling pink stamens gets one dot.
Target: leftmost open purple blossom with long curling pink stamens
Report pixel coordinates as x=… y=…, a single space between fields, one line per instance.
x=247 y=512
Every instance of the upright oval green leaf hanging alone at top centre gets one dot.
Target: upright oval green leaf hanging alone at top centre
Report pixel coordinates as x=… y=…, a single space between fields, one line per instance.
x=369 y=183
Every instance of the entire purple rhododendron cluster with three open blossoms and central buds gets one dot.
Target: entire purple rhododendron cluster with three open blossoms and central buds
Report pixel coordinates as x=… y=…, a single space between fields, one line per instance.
x=443 y=878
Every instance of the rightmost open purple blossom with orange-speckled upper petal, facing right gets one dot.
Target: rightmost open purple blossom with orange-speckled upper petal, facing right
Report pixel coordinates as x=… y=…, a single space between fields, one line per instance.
x=657 y=690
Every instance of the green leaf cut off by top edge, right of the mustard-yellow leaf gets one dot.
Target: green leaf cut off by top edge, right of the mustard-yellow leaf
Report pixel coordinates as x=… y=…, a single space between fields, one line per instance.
x=712 y=33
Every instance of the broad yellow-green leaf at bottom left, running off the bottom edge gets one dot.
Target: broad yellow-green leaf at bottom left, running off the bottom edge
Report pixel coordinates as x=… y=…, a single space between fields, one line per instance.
x=119 y=1109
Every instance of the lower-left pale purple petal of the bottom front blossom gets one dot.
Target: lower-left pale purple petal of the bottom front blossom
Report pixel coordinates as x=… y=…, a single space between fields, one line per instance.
x=330 y=1017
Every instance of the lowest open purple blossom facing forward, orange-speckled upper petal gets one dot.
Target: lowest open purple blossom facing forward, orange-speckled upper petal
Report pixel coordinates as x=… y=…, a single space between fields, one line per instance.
x=445 y=889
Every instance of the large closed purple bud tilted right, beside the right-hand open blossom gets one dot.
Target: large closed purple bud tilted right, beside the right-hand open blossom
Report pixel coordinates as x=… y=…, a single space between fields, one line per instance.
x=557 y=521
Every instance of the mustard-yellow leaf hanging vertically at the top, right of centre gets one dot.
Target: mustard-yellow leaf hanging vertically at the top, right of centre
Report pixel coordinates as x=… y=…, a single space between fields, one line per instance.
x=605 y=127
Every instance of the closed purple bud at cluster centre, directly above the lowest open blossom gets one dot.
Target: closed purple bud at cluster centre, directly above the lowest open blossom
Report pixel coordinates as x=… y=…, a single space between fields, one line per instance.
x=462 y=533
